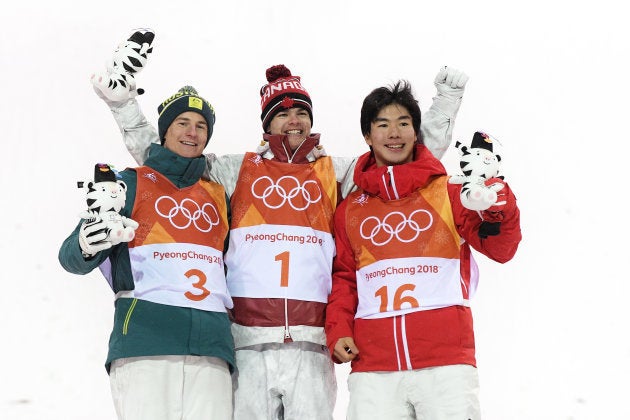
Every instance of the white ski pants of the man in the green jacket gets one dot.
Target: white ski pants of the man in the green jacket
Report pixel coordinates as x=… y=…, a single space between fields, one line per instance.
x=171 y=388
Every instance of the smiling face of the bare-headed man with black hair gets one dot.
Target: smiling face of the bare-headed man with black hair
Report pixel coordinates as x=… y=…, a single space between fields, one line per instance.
x=392 y=136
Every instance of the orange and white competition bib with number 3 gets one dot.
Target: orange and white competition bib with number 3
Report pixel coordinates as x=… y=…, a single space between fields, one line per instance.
x=177 y=254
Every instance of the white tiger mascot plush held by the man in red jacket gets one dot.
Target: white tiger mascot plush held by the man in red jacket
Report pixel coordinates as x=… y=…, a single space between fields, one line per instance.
x=478 y=163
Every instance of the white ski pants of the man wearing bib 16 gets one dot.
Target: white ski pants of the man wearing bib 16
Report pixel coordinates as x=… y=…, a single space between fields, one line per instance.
x=436 y=393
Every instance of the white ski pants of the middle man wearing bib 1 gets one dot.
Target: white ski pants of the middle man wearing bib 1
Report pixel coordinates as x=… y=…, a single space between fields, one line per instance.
x=291 y=381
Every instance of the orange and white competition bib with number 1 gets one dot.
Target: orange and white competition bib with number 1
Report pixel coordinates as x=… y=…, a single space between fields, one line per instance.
x=281 y=245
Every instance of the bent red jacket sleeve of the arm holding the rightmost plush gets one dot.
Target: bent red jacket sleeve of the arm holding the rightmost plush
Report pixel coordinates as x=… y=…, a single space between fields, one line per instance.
x=500 y=248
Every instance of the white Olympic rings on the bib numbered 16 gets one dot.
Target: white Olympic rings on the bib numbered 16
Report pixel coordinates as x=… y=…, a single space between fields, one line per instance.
x=396 y=224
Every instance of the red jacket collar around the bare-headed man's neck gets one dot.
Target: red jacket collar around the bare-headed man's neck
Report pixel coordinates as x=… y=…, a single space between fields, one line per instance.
x=398 y=181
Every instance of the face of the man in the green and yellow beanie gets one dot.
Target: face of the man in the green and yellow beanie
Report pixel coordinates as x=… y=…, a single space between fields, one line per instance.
x=187 y=134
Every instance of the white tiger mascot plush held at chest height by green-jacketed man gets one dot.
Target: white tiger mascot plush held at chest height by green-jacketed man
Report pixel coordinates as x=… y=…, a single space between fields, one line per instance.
x=105 y=197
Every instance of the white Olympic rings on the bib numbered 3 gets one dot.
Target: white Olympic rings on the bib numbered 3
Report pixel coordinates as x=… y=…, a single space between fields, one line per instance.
x=181 y=215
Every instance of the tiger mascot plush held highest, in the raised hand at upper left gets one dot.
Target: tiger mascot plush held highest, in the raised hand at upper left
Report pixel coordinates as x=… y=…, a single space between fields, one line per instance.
x=117 y=83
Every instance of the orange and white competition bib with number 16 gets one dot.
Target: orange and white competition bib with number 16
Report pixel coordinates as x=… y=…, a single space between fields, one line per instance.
x=407 y=252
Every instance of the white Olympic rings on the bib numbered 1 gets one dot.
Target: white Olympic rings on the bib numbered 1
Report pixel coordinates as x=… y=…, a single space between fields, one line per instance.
x=286 y=189
